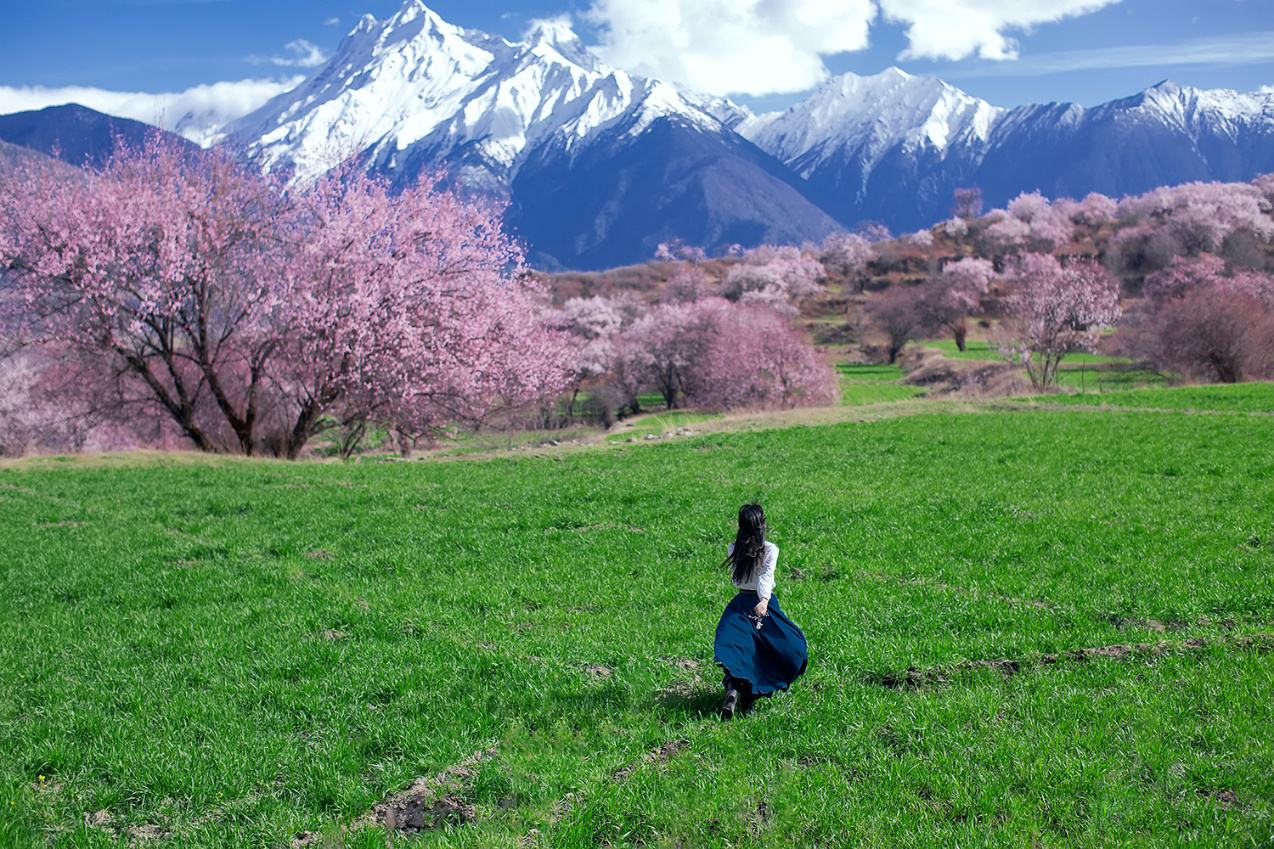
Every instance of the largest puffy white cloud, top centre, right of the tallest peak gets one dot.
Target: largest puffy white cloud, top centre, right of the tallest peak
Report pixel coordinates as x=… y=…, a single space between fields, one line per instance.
x=732 y=47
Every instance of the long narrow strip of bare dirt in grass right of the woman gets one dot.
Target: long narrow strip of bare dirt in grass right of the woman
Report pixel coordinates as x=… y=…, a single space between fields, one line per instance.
x=915 y=679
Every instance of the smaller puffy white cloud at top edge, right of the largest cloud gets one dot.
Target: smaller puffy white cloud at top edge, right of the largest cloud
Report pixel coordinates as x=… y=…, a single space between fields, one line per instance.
x=961 y=29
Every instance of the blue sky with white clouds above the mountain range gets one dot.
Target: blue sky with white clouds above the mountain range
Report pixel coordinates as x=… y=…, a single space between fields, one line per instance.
x=1098 y=52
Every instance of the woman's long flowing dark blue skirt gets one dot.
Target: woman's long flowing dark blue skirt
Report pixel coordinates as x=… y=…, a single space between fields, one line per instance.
x=771 y=657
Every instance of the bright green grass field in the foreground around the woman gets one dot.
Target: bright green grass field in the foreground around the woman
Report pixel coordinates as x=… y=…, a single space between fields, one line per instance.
x=224 y=653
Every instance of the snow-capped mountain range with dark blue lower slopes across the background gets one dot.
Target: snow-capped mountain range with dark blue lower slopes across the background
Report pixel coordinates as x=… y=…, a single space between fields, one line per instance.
x=599 y=166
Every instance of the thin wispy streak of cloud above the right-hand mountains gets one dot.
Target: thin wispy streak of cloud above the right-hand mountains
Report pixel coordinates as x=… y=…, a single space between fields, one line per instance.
x=1244 y=49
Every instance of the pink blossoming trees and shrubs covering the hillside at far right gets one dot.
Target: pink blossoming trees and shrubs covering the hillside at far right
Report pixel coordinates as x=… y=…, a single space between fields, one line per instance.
x=1199 y=254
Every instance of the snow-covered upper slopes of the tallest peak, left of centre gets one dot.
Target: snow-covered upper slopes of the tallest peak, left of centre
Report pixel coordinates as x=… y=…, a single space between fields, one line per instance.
x=417 y=87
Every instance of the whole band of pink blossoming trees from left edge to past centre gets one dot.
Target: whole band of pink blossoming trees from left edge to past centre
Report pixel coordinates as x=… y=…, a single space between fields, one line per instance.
x=241 y=314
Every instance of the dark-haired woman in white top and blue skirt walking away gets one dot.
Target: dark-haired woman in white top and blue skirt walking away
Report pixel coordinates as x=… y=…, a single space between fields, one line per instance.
x=757 y=646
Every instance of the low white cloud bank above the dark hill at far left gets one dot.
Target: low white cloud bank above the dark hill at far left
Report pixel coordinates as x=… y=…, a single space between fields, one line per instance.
x=197 y=114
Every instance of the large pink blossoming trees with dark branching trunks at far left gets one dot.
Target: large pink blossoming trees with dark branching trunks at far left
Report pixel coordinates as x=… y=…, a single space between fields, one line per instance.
x=252 y=317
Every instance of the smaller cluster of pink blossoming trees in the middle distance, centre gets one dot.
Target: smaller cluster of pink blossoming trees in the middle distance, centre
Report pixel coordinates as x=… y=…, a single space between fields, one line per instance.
x=710 y=344
